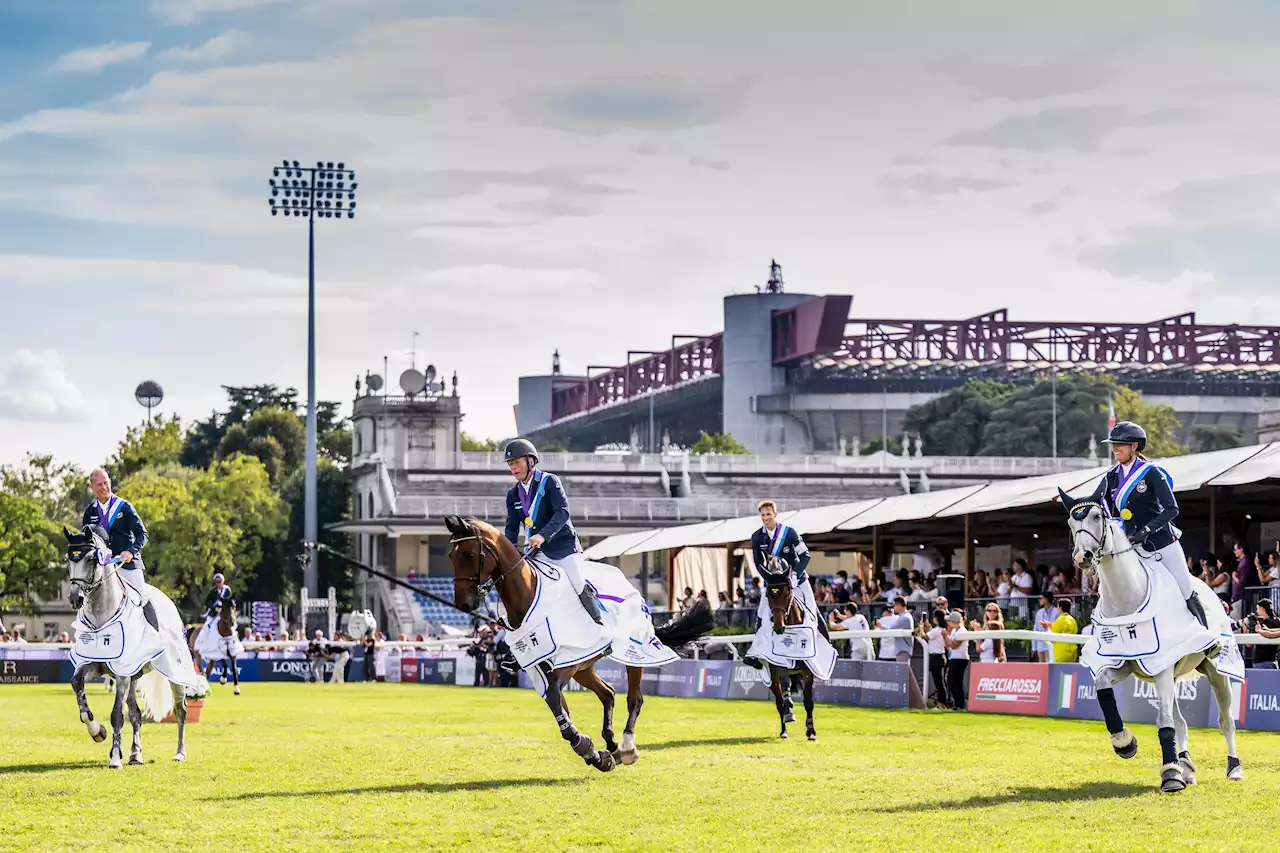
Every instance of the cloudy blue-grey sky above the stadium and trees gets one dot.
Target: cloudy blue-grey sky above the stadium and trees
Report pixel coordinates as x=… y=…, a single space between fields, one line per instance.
x=595 y=176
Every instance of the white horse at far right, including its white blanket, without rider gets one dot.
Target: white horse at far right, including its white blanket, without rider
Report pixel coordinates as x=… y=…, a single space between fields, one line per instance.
x=1130 y=618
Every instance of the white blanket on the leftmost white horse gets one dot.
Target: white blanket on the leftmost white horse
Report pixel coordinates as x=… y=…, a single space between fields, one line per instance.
x=126 y=642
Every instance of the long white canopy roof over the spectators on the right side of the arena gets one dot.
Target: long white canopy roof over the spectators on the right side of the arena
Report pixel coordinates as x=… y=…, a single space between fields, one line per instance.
x=950 y=510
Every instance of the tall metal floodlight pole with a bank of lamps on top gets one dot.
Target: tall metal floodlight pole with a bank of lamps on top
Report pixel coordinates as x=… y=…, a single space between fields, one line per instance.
x=330 y=193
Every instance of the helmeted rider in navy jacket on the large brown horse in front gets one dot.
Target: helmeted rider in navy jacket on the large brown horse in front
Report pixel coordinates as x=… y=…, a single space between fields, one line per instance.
x=538 y=504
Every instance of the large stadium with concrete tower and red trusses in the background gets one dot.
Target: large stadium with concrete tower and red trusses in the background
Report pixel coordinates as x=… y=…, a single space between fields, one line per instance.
x=794 y=373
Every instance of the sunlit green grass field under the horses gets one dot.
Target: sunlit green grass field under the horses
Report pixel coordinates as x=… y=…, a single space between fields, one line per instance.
x=414 y=768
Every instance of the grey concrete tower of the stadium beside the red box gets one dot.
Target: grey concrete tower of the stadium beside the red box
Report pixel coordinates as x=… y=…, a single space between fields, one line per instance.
x=749 y=373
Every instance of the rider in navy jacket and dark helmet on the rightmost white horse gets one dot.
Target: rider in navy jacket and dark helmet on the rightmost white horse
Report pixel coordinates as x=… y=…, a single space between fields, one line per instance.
x=1142 y=498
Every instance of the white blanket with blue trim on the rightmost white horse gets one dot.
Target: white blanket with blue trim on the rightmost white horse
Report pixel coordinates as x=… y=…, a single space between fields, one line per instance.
x=1163 y=632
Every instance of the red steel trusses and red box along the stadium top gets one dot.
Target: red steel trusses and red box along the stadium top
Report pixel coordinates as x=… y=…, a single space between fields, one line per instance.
x=819 y=335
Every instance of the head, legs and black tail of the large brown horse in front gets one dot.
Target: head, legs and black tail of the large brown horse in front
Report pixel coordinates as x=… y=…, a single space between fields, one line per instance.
x=483 y=556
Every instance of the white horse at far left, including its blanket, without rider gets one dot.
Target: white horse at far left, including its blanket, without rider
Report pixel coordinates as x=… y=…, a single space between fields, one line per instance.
x=115 y=640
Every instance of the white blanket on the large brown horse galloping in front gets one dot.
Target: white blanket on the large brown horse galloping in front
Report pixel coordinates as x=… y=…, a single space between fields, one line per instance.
x=559 y=632
